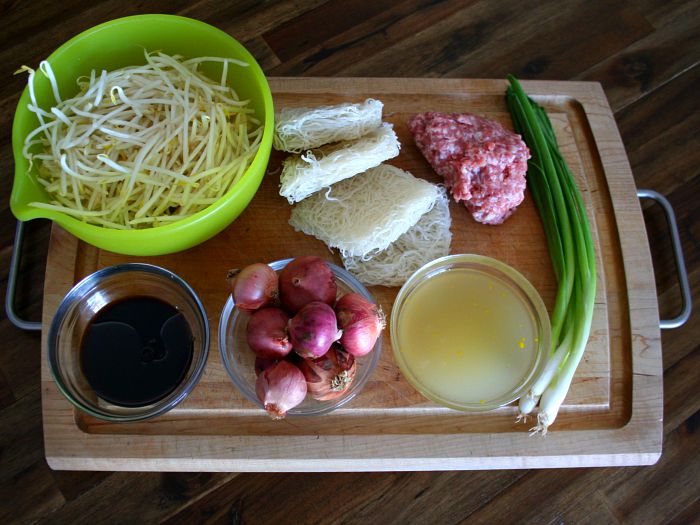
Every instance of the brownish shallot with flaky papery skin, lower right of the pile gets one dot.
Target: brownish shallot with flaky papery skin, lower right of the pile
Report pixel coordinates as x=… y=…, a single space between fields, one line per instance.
x=329 y=376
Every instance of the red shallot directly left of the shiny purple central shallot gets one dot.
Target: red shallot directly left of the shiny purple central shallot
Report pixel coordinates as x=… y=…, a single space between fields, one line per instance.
x=266 y=333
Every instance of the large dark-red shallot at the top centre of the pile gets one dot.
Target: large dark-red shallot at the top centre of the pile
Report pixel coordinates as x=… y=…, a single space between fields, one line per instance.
x=304 y=280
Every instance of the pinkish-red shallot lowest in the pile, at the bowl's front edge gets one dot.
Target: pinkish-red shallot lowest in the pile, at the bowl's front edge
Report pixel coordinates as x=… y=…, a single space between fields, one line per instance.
x=280 y=388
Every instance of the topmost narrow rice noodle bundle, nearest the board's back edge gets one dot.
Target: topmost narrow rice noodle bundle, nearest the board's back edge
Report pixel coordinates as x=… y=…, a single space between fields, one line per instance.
x=299 y=129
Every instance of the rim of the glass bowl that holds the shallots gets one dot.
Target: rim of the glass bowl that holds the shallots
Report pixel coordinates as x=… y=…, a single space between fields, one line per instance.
x=374 y=355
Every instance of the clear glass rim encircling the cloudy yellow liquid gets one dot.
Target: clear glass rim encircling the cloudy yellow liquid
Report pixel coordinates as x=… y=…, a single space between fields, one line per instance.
x=513 y=278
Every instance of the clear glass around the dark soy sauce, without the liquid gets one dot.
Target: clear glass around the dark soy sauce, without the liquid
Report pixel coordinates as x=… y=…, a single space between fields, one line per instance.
x=90 y=297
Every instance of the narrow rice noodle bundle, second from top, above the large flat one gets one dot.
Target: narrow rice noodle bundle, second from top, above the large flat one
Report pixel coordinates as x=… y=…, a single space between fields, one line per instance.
x=318 y=169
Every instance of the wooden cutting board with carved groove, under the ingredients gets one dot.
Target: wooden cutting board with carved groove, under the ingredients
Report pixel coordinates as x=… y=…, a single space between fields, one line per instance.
x=612 y=415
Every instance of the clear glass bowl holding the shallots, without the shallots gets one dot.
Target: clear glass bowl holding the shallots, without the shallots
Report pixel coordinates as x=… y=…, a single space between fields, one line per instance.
x=239 y=359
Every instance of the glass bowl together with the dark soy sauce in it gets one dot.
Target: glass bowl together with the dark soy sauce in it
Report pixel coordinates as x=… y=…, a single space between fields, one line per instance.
x=128 y=342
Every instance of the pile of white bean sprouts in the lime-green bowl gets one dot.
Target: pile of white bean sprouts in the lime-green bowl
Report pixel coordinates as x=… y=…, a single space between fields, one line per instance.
x=142 y=146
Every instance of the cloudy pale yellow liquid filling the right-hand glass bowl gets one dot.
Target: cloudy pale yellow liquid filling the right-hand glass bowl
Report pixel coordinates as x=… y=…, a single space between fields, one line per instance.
x=467 y=337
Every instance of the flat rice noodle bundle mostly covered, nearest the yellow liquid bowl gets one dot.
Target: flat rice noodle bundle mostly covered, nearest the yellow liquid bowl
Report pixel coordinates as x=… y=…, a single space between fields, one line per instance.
x=429 y=239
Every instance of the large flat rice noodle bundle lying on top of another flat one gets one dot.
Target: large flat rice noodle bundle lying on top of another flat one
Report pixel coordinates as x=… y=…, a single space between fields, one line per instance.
x=365 y=213
